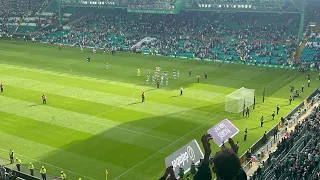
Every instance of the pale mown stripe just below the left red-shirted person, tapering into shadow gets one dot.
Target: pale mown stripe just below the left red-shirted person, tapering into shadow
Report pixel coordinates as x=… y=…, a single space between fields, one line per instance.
x=76 y=121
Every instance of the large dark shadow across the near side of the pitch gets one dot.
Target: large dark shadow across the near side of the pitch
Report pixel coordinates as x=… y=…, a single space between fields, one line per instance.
x=120 y=148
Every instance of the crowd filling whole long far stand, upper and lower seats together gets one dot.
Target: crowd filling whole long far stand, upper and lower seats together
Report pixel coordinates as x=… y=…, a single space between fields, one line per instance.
x=200 y=34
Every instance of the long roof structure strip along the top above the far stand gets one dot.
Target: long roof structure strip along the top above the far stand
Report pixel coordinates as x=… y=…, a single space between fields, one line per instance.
x=273 y=6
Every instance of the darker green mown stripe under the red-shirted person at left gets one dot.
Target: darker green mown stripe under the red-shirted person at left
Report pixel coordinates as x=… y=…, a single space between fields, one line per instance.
x=131 y=120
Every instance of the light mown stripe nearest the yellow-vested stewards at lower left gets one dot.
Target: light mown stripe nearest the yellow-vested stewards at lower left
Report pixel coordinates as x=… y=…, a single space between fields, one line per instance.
x=30 y=151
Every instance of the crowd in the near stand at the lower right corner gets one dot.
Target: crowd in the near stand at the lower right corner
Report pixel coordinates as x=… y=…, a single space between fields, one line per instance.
x=296 y=156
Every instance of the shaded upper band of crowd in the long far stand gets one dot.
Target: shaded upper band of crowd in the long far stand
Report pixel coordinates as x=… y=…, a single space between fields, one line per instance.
x=198 y=24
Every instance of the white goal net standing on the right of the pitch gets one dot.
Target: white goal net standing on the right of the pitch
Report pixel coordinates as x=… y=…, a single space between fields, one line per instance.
x=239 y=99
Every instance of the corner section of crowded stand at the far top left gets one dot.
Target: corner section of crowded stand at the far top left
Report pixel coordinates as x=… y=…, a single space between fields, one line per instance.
x=27 y=17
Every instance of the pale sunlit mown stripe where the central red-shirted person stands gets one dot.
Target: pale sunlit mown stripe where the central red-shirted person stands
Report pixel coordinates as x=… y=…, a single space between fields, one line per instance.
x=96 y=96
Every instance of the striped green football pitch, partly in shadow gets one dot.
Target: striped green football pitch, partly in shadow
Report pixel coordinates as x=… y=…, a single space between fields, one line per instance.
x=93 y=119
